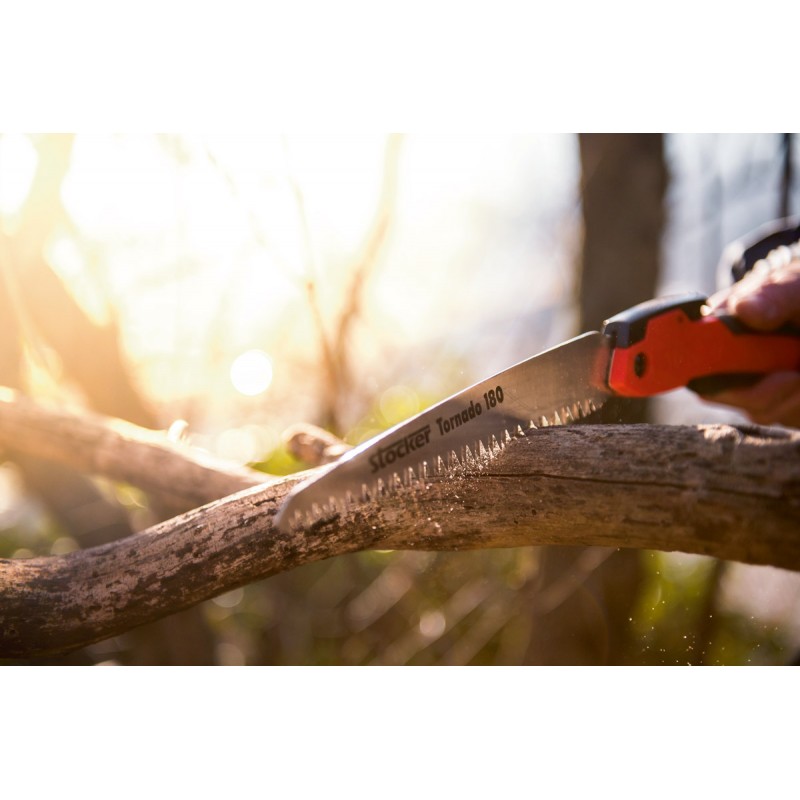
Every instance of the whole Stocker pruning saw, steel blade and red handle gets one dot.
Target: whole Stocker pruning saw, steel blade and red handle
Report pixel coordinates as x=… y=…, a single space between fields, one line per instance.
x=654 y=347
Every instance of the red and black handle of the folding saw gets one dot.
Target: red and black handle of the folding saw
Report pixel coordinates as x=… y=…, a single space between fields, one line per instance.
x=668 y=343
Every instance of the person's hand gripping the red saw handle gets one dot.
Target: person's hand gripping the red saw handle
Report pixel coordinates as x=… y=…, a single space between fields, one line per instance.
x=766 y=298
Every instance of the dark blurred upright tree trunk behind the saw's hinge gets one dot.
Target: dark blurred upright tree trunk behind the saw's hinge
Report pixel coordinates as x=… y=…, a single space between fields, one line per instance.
x=623 y=183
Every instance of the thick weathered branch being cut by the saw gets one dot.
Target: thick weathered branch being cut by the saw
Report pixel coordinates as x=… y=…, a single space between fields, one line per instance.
x=729 y=492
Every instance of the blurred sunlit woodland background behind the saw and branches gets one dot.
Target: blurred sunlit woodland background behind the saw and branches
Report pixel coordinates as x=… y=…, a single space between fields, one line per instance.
x=246 y=283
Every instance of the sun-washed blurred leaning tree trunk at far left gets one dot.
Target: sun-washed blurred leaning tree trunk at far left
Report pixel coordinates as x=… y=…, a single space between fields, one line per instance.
x=38 y=314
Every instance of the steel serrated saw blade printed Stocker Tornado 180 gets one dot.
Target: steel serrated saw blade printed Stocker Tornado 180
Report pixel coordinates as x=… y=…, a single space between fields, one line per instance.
x=555 y=387
